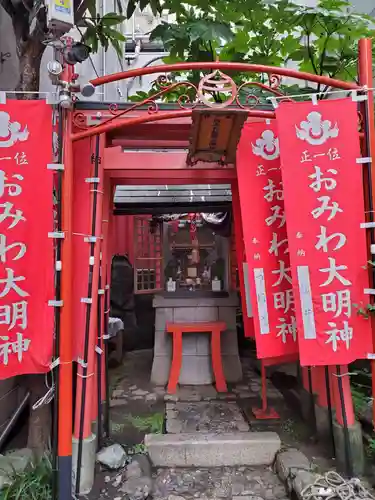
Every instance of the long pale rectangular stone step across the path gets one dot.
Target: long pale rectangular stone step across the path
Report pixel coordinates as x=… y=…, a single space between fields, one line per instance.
x=212 y=450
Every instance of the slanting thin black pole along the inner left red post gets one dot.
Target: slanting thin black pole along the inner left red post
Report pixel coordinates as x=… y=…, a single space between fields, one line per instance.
x=88 y=315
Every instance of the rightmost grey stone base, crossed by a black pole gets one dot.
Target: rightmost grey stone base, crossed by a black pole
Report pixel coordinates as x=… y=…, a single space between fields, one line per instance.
x=356 y=447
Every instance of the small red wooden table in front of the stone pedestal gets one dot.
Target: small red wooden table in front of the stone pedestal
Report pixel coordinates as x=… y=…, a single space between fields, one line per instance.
x=215 y=328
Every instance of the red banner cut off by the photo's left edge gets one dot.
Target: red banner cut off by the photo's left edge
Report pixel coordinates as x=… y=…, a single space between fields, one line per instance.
x=26 y=251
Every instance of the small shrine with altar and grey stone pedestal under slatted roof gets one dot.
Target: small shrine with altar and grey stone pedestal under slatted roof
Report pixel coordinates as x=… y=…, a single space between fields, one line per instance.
x=187 y=263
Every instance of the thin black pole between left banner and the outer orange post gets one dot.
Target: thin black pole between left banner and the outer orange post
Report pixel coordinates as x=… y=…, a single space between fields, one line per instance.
x=57 y=319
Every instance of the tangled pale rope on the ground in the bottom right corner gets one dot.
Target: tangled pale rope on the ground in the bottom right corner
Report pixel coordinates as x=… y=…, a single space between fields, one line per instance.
x=332 y=486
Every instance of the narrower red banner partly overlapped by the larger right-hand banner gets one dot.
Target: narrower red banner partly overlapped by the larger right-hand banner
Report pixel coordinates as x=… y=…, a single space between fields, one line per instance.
x=265 y=237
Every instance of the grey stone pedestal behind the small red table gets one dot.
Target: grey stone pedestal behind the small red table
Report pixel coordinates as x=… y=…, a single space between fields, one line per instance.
x=196 y=348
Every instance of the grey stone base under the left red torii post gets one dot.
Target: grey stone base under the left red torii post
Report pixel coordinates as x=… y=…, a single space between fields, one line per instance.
x=87 y=466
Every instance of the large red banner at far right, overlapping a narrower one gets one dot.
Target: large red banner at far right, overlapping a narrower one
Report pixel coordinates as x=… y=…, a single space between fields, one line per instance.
x=325 y=207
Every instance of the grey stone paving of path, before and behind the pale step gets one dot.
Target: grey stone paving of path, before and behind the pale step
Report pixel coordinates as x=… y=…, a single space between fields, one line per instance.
x=191 y=409
